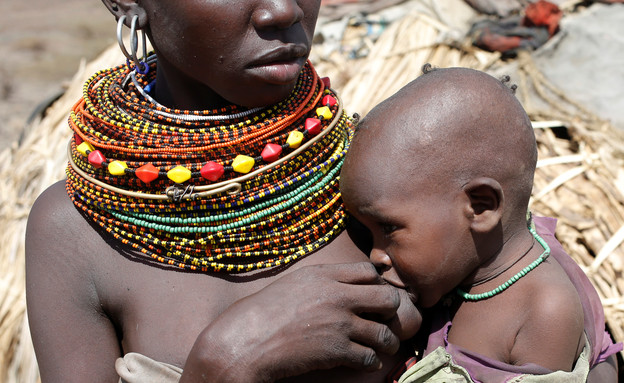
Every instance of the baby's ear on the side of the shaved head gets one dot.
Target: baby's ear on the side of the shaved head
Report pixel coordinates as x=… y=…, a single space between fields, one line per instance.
x=485 y=204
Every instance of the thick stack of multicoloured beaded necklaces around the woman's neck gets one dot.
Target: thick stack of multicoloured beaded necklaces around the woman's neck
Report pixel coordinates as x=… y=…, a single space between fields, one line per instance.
x=227 y=190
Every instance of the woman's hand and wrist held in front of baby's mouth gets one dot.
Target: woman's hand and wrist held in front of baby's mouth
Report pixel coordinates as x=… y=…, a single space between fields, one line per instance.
x=317 y=317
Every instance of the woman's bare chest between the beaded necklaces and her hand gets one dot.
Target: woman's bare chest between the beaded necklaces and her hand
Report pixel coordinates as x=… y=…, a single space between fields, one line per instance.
x=160 y=312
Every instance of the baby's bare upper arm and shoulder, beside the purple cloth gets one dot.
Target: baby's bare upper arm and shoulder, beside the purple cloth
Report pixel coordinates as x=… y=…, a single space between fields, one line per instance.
x=552 y=333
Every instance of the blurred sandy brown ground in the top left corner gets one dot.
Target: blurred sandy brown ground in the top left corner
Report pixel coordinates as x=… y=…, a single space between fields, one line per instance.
x=41 y=45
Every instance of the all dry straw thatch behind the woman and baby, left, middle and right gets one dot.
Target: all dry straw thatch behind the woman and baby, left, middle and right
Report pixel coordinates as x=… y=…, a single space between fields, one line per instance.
x=579 y=180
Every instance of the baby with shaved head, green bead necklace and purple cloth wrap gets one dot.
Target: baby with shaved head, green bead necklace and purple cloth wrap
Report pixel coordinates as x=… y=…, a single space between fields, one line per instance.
x=441 y=174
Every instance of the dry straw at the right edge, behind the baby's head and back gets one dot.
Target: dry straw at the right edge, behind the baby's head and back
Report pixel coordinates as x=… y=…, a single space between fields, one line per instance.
x=580 y=181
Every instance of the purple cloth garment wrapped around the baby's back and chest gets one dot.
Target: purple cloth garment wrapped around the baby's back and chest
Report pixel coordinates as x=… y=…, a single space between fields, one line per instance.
x=482 y=368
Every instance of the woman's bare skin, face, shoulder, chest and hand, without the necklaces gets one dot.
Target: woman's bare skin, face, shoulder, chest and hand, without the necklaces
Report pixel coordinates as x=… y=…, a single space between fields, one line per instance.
x=89 y=302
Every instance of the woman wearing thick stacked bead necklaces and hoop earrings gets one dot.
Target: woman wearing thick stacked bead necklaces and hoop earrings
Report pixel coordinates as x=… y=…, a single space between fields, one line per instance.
x=146 y=248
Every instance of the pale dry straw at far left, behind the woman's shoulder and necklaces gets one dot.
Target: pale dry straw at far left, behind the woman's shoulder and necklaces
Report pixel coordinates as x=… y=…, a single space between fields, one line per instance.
x=26 y=170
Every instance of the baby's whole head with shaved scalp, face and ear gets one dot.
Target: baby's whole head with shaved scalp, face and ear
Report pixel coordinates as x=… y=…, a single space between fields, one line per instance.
x=441 y=174
